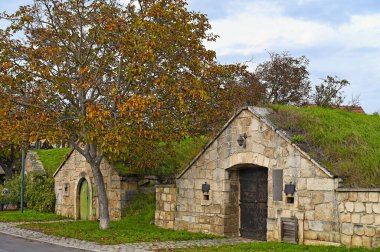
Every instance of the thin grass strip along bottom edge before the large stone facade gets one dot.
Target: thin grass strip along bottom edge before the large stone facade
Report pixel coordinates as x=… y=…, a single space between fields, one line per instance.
x=275 y=246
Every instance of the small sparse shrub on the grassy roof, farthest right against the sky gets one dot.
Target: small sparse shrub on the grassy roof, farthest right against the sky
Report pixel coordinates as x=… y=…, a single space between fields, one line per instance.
x=329 y=93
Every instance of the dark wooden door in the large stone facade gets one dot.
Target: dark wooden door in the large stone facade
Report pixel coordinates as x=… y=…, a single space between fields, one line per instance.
x=254 y=203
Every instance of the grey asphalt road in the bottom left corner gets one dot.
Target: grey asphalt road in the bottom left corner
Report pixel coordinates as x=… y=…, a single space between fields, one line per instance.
x=15 y=244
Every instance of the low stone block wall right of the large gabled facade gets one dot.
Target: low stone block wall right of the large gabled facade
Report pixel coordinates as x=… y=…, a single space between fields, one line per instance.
x=359 y=215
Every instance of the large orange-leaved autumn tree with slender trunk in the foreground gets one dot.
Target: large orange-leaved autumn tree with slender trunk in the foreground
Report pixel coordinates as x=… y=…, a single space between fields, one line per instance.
x=112 y=79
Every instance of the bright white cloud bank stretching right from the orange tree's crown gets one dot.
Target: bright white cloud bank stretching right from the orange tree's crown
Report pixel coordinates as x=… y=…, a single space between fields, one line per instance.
x=261 y=26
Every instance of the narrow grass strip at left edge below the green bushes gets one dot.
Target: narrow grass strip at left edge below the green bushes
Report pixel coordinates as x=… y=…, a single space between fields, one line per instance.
x=27 y=216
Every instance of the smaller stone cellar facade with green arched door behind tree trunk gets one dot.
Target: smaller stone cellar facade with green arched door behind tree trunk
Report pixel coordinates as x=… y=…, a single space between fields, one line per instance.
x=76 y=194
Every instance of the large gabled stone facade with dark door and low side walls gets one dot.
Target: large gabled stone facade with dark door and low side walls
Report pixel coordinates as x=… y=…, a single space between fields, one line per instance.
x=252 y=181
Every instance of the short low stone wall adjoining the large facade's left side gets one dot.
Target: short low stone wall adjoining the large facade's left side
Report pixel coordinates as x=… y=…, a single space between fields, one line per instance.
x=166 y=198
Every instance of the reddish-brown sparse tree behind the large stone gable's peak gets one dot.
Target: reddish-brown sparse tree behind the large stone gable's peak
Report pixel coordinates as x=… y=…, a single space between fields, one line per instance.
x=285 y=79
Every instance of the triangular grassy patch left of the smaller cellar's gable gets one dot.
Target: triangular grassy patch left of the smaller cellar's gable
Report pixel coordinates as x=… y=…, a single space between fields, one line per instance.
x=52 y=158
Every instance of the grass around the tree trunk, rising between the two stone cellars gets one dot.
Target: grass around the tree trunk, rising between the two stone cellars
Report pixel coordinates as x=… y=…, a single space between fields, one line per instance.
x=135 y=227
